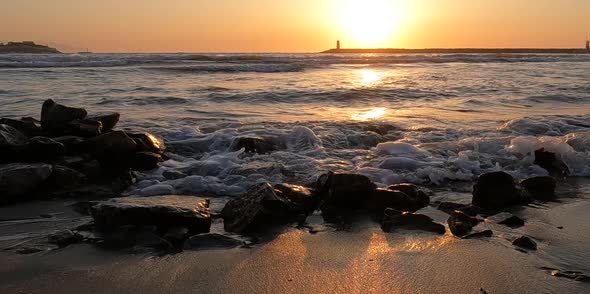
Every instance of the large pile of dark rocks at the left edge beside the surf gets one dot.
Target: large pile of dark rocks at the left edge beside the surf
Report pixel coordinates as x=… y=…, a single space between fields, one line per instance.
x=70 y=152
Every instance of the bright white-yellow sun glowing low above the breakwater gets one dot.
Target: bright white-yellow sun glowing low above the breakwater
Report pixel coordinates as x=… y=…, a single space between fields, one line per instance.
x=369 y=23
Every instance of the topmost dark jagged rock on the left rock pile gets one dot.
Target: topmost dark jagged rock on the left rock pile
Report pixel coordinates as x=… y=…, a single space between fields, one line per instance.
x=56 y=117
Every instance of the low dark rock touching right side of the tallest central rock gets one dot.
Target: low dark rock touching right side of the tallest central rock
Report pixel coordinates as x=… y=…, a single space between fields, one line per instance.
x=380 y=199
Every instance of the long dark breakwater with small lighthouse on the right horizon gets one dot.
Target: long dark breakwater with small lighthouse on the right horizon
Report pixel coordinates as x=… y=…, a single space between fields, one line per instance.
x=338 y=50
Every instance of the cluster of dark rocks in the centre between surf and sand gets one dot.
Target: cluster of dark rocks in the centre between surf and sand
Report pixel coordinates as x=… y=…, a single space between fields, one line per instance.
x=336 y=194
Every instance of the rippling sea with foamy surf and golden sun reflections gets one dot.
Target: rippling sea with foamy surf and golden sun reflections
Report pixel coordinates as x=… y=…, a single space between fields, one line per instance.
x=433 y=120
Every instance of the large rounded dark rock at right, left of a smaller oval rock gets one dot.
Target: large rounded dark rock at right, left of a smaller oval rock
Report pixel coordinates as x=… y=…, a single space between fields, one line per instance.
x=496 y=190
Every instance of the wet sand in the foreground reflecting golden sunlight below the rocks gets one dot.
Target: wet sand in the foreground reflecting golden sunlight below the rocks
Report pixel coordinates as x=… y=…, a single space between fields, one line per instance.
x=361 y=259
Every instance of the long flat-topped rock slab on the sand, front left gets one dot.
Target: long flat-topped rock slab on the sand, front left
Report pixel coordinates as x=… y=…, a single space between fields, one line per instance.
x=162 y=211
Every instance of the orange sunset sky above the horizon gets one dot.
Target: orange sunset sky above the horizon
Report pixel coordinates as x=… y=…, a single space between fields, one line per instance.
x=293 y=26
